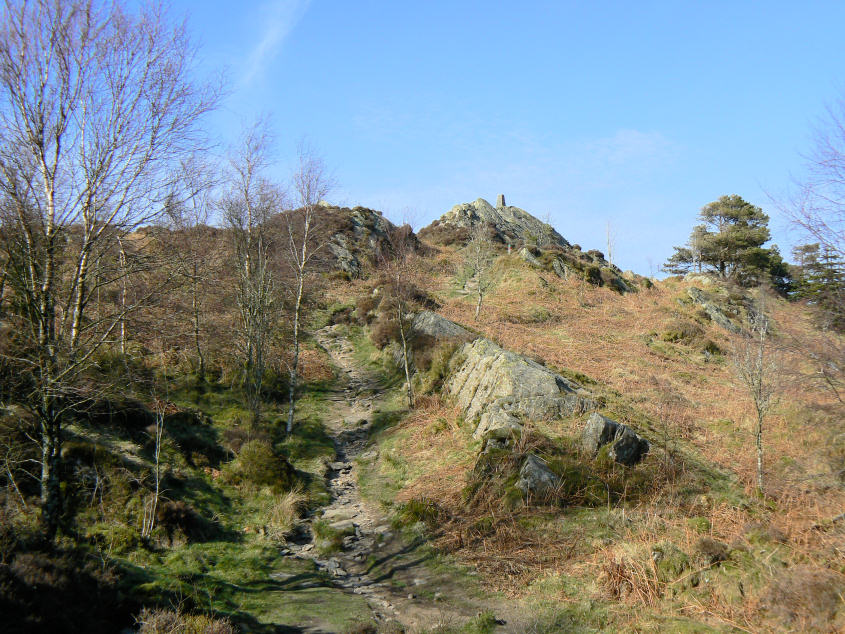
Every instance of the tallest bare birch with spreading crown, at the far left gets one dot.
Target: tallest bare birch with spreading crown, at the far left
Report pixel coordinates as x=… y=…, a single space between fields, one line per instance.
x=97 y=105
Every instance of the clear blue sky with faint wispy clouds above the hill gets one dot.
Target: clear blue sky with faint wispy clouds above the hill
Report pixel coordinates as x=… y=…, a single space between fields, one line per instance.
x=633 y=113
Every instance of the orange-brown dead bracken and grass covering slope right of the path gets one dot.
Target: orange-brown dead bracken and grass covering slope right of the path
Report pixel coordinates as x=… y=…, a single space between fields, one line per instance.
x=679 y=541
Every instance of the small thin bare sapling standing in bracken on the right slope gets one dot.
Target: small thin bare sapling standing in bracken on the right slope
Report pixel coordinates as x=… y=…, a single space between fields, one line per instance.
x=757 y=366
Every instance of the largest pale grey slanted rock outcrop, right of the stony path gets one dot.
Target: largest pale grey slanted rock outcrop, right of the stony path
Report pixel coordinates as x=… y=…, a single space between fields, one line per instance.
x=501 y=387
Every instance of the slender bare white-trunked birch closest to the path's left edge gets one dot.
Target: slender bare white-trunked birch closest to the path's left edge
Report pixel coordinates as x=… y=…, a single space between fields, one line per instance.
x=311 y=185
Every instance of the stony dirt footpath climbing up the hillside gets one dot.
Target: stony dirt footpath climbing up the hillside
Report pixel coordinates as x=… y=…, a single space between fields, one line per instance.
x=393 y=574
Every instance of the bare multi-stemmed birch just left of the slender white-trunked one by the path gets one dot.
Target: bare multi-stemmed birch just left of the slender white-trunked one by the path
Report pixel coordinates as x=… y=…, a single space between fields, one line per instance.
x=249 y=202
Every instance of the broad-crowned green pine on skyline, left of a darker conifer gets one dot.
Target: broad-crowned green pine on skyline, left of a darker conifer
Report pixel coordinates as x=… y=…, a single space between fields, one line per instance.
x=729 y=242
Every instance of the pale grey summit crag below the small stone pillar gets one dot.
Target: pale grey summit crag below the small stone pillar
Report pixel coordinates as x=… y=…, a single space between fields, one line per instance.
x=511 y=223
